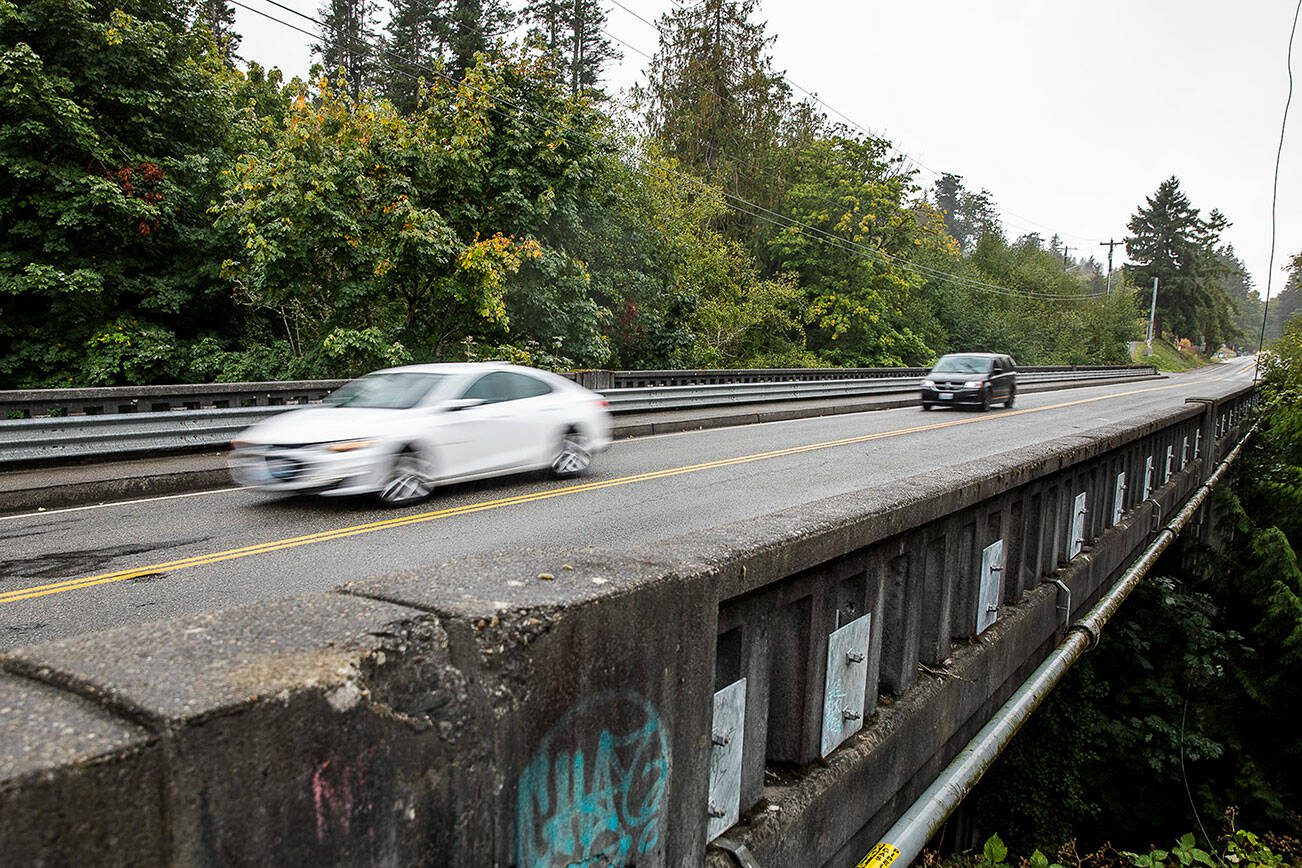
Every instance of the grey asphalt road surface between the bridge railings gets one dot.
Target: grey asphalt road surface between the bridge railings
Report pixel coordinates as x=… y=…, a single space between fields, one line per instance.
x=83 y=569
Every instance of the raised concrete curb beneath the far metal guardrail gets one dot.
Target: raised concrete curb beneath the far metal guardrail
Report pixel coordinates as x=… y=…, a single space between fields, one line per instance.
x=61 y=495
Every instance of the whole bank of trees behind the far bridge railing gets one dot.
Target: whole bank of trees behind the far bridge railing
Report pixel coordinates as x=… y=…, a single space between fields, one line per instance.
x=166 y=217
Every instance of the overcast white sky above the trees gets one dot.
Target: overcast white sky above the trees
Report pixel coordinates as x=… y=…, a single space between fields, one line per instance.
x=1070 y=114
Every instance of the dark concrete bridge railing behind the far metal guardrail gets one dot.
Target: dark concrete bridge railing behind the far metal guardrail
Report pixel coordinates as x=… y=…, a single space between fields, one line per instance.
x=25 y=404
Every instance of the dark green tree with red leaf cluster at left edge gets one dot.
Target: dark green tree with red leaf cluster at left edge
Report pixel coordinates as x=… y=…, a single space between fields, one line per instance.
x=117 y=126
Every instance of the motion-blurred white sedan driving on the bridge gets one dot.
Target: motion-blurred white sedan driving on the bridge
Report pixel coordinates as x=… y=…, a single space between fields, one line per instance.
x=399 y=433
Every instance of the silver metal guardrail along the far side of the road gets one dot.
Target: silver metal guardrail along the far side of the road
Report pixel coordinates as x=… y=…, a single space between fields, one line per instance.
x=53 y=439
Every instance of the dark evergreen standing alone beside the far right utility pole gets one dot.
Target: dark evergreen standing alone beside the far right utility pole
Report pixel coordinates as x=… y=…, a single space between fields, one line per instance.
x=1171 y=241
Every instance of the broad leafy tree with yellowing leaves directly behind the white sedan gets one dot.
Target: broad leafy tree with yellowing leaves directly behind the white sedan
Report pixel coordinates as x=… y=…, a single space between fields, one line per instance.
x=376 y=236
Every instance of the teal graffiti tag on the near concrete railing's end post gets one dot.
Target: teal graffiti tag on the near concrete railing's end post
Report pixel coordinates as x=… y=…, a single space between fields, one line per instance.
x=592 y=794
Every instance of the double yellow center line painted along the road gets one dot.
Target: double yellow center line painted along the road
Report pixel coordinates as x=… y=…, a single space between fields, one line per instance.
x=451 y=512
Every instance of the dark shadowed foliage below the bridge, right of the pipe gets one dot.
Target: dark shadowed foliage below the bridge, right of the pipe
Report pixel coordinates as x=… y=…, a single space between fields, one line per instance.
x=1193 y=684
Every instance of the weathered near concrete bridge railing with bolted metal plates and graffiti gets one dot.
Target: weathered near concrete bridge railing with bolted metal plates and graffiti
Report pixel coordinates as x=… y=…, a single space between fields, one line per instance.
x=594 y=707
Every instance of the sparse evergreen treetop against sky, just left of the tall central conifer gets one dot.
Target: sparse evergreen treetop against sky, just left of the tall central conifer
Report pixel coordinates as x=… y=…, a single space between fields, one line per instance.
x=572 y=34
